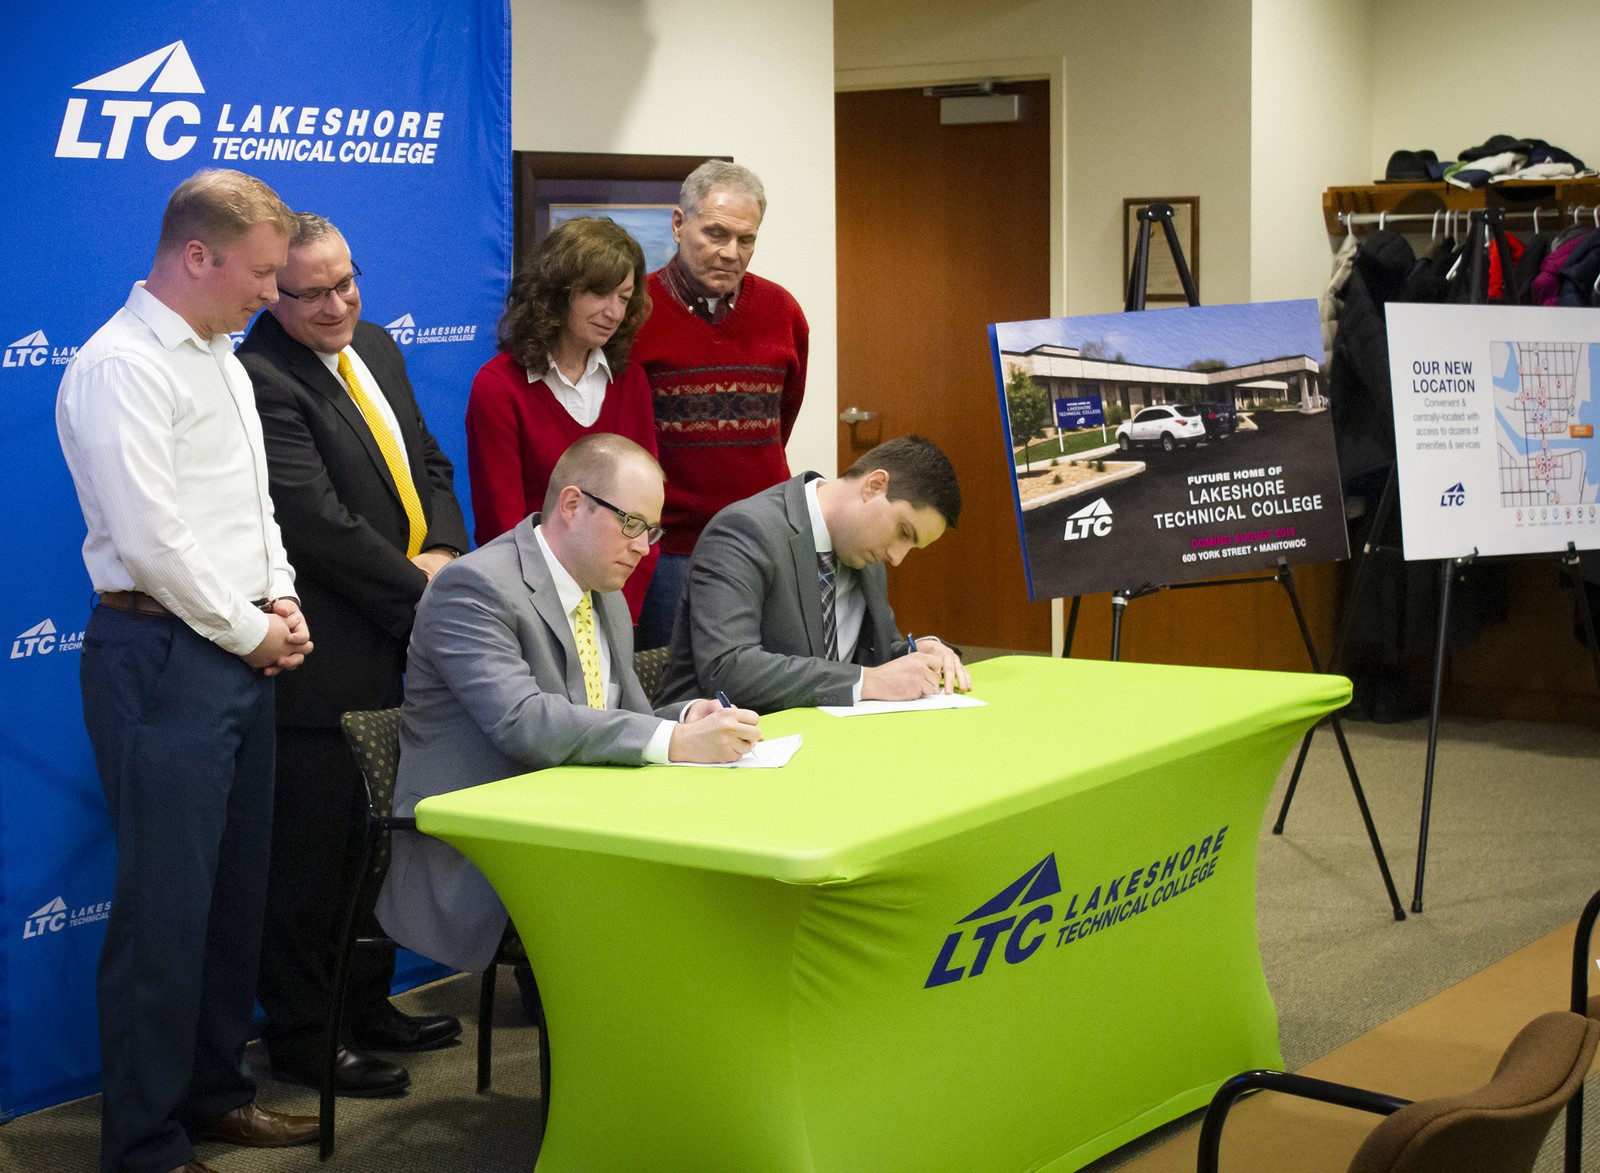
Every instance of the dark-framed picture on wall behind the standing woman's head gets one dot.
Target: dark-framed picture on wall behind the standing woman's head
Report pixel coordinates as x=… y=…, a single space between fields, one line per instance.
x=636 y=191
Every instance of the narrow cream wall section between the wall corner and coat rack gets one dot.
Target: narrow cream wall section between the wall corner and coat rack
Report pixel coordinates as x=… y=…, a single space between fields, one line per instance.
x=1311 y=130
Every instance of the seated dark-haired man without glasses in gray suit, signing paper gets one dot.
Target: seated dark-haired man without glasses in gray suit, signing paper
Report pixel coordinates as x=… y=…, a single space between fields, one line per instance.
x=788 y=598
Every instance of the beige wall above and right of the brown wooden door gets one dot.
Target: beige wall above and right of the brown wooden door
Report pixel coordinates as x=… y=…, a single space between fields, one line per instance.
x=1158 y=103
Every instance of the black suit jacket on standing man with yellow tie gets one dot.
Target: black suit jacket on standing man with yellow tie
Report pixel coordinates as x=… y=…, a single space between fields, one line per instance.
x=342 y=518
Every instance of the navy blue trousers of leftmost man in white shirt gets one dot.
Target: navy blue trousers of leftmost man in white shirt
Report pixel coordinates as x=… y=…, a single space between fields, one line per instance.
x=183 y=740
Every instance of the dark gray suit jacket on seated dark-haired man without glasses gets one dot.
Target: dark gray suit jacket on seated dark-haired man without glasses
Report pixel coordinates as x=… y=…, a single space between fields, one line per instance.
x=751 y=617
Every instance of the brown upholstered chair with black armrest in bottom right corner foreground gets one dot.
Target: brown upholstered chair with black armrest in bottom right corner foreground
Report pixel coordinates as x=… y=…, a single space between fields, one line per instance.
x=1497 y=1129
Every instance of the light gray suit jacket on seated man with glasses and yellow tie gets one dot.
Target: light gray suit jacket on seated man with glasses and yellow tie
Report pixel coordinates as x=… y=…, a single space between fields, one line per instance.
x=494 y=691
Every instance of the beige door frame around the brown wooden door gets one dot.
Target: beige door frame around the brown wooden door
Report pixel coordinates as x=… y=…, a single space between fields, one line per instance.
x=1001 y=70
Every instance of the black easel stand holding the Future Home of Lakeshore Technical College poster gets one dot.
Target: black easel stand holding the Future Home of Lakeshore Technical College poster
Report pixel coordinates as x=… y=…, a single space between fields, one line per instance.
x=1119 y=603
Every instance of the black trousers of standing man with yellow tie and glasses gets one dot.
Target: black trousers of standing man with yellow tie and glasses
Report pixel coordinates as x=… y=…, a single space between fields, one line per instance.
x=316 y=847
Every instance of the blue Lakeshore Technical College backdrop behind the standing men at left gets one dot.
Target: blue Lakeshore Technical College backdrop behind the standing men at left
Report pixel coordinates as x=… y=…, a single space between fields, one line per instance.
x=393 y=121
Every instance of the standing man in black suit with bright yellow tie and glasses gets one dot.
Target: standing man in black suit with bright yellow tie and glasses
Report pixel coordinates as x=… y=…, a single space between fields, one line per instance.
x=369 y=514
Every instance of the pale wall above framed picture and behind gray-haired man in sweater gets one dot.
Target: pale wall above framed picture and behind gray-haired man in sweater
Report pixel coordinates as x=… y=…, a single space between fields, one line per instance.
x=753 y=79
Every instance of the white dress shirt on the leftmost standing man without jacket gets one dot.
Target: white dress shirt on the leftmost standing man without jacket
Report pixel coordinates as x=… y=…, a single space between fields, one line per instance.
x=161 y=433
